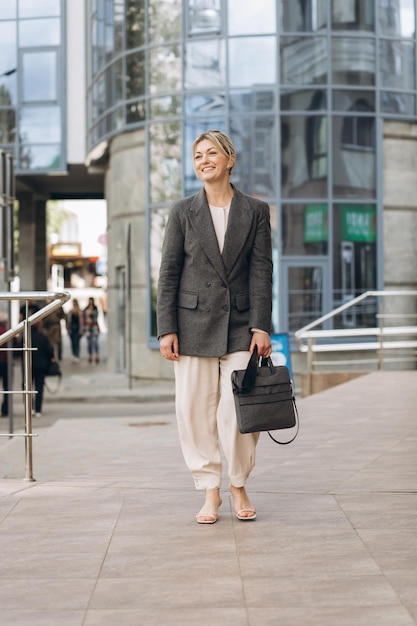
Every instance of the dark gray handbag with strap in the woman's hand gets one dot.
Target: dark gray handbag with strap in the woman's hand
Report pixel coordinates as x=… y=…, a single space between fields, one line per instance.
x=264 y=398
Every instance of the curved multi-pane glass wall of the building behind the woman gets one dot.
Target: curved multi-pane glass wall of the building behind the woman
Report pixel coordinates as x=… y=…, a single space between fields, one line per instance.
x=300 y=85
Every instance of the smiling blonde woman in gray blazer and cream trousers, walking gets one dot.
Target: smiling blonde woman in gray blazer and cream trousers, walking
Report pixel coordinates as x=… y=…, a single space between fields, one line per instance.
x=214 y=307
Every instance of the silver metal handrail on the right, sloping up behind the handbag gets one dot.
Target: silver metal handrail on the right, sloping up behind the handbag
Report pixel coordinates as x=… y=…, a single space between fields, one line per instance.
x=306 y=337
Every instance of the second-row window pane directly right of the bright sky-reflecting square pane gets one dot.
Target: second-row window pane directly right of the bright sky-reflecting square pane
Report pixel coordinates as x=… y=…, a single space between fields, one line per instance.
x=303 y=60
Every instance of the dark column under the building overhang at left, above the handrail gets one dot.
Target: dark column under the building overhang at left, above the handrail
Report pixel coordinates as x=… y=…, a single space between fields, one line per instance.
x=33 y=264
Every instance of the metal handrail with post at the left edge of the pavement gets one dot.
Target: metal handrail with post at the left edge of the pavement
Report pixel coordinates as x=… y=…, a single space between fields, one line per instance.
x=57 y=299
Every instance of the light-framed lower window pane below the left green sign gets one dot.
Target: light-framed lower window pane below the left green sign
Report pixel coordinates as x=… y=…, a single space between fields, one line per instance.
x=305 y=296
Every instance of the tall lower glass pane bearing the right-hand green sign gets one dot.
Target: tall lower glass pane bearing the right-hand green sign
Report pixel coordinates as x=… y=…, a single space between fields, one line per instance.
x=354 y=261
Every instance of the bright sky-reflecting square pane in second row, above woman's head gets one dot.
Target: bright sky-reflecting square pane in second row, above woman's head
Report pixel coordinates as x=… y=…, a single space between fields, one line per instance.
x=244 y=66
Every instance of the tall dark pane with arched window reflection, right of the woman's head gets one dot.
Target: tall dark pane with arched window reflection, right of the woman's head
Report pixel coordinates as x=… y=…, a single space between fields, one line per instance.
x=304 y=166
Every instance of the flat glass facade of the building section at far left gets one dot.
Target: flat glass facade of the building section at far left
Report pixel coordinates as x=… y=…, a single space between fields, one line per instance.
x=32 y=84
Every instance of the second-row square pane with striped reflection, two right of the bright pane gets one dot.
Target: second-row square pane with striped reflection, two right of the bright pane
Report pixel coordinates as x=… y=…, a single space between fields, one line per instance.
x=353 y=61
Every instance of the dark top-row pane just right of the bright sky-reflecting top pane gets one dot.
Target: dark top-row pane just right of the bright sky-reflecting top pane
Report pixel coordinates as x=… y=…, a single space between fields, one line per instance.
x=303 y=15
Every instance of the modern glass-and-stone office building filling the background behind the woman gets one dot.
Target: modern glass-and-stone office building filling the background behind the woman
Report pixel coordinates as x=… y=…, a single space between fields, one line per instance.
x=319 y=97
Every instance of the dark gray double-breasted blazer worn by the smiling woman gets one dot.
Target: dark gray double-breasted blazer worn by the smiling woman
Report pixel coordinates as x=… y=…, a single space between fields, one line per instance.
x=213 y=300
